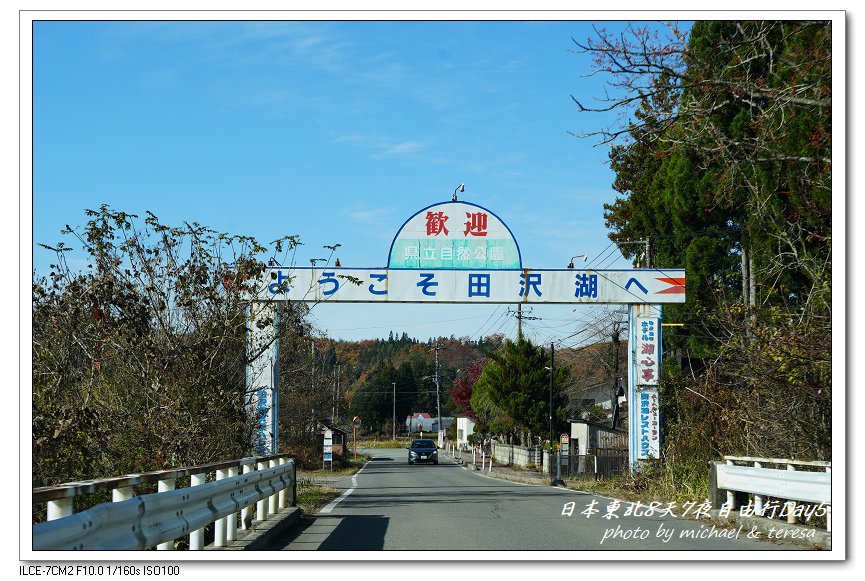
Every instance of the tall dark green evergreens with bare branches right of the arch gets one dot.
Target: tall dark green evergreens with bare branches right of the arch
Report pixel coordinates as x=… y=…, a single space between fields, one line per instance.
x=722 y=154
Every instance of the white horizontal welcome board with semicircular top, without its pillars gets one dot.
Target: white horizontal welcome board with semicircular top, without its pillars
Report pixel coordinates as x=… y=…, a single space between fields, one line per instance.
x=456 y=252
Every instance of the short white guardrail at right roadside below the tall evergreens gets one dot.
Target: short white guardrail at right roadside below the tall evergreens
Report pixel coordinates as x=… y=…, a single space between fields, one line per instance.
x=788 y=484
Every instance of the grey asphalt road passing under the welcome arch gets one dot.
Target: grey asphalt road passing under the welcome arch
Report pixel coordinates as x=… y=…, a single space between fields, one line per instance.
x=390 y=505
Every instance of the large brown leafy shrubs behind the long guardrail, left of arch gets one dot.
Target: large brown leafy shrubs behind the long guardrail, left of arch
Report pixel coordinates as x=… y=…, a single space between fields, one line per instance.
x=139 y=361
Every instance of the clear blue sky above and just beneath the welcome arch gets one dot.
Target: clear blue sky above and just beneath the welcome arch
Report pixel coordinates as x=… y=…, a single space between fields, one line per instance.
x=334 y=131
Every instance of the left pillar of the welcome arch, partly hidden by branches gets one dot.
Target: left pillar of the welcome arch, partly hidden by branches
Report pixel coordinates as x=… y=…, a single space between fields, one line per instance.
x=261 y=375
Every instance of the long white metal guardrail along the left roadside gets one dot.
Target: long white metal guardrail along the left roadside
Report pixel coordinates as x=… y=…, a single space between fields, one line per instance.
x=157 y=519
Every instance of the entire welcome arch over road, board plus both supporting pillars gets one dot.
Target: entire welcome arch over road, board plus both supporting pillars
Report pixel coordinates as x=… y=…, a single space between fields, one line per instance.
x=459 y=252
